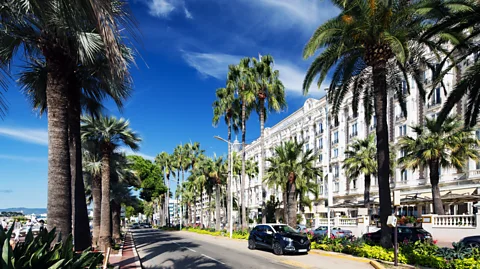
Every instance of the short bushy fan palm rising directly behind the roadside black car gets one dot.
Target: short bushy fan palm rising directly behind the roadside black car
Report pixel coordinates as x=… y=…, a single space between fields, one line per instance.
x=293 y=170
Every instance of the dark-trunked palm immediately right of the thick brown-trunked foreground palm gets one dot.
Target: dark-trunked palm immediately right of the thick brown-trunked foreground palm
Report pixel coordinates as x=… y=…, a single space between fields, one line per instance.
x=93 y=84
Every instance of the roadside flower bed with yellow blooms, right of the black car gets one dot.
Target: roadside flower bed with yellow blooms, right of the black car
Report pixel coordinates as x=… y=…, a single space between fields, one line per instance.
x=424 y=254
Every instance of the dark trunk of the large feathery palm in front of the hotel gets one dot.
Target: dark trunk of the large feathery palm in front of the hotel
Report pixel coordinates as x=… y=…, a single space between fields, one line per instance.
x=383 y=154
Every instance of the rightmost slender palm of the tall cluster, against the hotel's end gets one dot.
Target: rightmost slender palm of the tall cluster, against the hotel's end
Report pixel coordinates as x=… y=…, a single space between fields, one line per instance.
x=270 y=97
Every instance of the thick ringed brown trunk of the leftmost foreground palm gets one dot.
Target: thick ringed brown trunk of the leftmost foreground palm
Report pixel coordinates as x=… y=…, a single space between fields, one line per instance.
x=59 y=203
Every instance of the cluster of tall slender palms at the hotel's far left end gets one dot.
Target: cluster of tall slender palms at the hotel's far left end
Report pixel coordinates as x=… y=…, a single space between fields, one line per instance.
x=252 y=85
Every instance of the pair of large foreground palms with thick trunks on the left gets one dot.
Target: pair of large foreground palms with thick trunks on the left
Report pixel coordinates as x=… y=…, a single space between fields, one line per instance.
x=74 y=57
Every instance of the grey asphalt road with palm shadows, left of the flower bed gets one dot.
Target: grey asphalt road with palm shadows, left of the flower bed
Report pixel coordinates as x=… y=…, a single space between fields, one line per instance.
x=172 y=250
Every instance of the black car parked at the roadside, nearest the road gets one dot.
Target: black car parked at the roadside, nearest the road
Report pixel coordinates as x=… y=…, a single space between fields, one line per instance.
x=280 y=238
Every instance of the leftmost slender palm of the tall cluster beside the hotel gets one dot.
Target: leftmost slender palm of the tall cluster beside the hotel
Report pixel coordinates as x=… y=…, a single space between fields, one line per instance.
x=228 y=106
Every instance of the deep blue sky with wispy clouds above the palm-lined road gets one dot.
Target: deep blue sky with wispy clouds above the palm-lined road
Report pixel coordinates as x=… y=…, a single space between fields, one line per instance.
x=186 y=47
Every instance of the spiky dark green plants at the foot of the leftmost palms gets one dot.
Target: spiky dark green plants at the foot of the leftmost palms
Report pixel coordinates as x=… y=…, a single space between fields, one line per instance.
x=40 y=252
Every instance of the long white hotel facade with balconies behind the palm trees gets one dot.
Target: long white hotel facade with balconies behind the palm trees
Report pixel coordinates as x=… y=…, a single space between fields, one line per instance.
x=309 y=124
